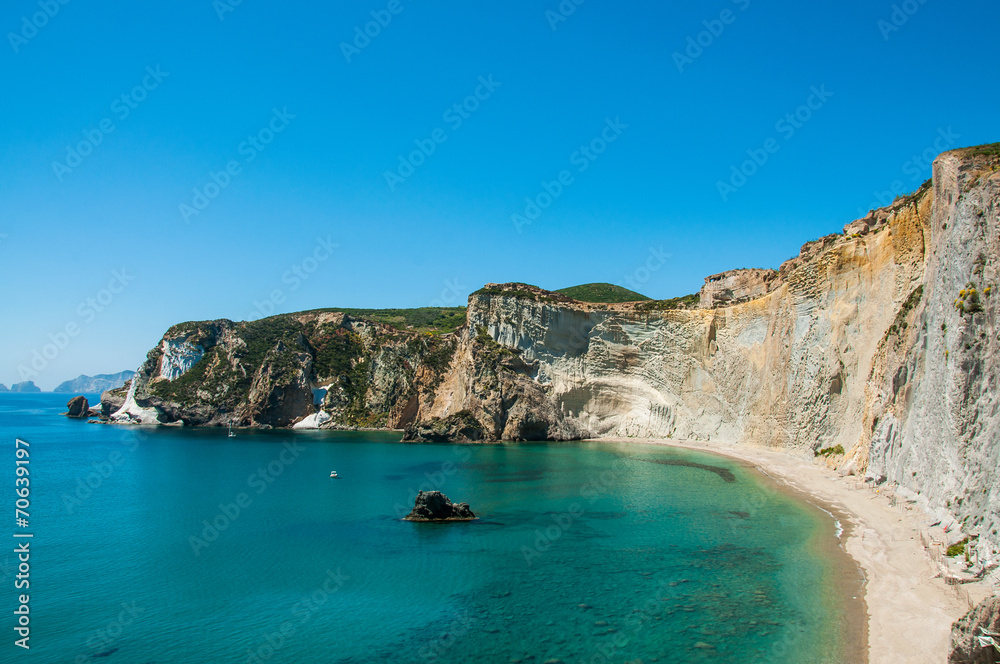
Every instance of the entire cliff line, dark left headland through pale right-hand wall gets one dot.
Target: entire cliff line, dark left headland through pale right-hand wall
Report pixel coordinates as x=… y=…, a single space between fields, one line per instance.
x=878 y=346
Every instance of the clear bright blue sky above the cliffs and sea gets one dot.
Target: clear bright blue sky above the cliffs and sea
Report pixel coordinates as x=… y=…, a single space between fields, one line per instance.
x=307 y=217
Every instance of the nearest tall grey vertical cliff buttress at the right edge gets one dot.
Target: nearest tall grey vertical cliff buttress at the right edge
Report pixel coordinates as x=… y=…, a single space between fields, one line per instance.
x=931 y=411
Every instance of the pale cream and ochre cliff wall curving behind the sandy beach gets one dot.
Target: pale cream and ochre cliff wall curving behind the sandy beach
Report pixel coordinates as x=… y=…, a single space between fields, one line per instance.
x=878 y=345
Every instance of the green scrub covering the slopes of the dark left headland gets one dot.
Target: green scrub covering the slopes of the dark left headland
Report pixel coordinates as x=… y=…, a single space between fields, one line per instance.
x=245 y=363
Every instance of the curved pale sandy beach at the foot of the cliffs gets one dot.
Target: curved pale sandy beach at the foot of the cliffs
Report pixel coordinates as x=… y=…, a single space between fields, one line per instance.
x=910 y=608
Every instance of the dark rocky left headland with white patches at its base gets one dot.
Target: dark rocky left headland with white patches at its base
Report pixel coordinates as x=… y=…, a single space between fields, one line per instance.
x=314 y=368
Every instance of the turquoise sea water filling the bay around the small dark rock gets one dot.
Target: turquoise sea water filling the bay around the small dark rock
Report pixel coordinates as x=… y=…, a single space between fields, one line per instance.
x=188 y=546
